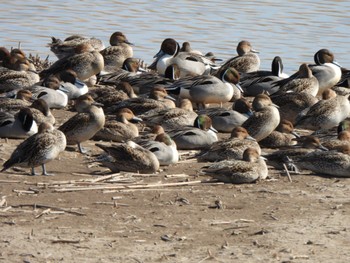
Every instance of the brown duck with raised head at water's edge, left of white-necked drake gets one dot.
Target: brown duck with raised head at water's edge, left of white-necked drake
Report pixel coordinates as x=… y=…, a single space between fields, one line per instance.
x=114 y=55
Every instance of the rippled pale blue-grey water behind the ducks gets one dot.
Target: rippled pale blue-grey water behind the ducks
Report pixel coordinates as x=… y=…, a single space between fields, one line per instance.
x=294 y=30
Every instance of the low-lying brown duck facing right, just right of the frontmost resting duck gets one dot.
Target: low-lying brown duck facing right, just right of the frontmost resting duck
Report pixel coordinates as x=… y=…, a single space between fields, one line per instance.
x=305 y=145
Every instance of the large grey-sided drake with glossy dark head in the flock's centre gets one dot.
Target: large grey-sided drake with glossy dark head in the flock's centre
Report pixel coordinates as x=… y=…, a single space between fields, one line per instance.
x=207 y=89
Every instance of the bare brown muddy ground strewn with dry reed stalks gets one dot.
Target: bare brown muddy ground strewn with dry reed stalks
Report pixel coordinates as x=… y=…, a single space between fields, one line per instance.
x=85 y=214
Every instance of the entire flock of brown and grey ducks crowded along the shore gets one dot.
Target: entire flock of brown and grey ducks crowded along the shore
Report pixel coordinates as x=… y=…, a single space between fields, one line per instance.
x=141 y=116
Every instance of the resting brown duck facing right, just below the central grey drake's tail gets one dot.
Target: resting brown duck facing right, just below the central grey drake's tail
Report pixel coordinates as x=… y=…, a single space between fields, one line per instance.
x=158 y=99
